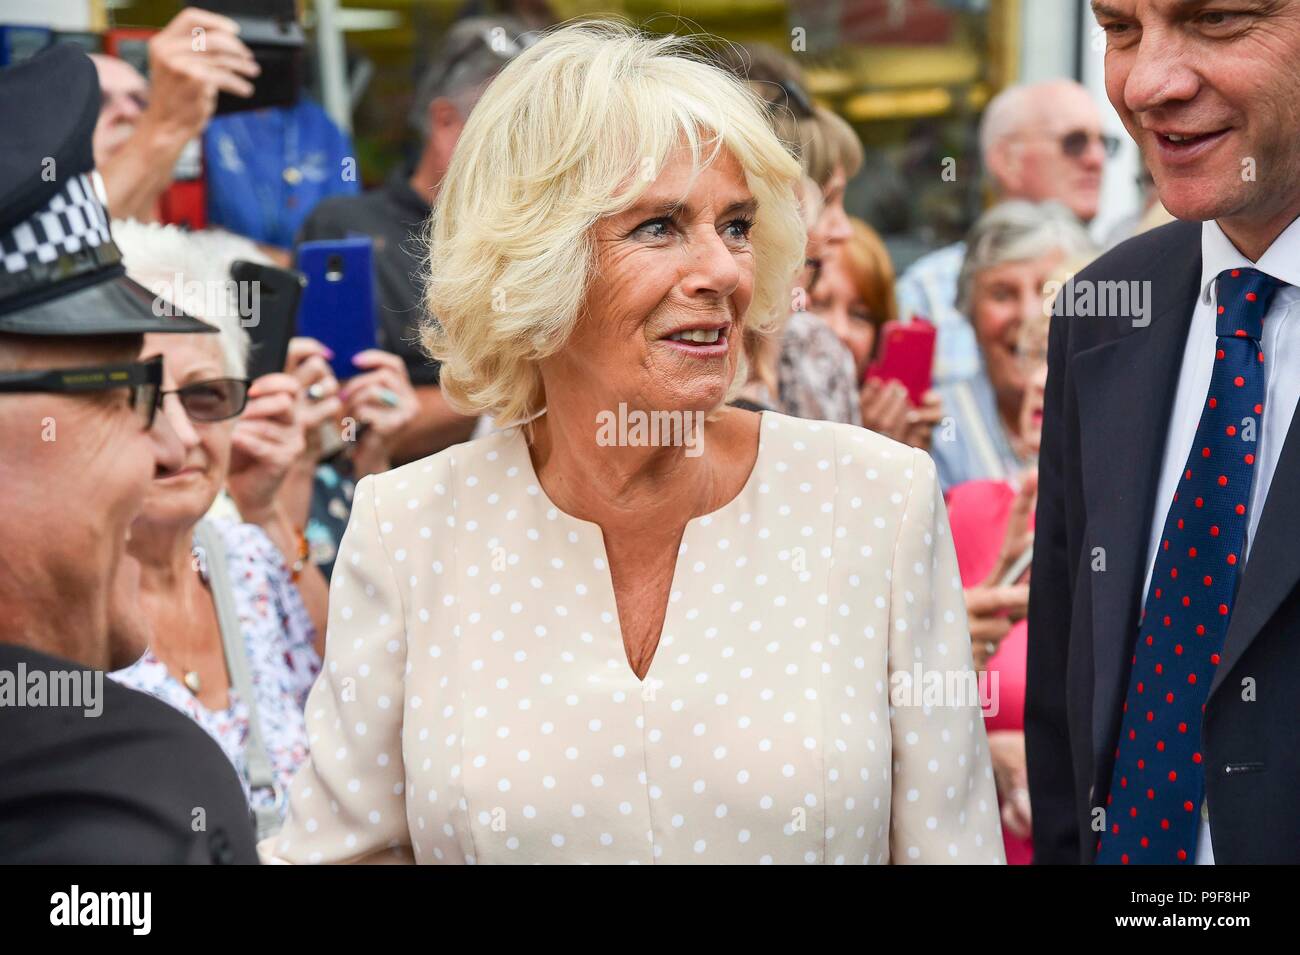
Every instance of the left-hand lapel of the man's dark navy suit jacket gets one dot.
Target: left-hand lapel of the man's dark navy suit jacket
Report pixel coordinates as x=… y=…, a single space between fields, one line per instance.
x=1126 y=392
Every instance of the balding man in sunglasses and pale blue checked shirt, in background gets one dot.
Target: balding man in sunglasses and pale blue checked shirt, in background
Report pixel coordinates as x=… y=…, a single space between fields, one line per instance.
x=1038 y=142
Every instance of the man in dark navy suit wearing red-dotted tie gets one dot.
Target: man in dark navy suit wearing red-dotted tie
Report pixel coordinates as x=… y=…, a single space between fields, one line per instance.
x=1164 y=613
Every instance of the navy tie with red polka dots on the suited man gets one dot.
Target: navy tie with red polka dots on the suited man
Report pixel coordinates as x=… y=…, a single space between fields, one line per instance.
x=1152 y=811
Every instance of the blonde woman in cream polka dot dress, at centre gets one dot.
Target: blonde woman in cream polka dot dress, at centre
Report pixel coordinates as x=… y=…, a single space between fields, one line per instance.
x=569 y=644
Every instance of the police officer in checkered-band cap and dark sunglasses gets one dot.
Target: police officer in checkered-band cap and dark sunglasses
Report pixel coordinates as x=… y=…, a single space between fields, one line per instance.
x=90 y=772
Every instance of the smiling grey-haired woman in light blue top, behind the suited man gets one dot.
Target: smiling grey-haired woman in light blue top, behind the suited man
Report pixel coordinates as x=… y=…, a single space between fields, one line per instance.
x=1011 y=253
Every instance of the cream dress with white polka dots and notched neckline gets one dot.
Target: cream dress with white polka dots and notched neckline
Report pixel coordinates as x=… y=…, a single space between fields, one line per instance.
x=476 y=704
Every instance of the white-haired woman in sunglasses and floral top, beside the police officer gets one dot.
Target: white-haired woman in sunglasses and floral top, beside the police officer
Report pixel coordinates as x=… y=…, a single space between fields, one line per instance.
x=232 y=641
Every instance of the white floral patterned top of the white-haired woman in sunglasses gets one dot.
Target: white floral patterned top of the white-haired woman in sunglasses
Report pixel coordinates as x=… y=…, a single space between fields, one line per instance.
x=283 y=661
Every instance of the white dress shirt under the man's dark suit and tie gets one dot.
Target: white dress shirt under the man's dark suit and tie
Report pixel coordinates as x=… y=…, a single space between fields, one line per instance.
x=1281 y=349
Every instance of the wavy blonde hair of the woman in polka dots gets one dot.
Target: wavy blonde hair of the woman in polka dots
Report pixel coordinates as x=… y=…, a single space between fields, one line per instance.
x=571 y=132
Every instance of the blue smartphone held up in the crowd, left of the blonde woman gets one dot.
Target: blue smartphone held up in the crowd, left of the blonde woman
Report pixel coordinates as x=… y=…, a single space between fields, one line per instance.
x=339 y=302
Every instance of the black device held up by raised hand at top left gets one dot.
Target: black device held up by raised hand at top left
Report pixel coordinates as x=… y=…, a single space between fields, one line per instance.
x=272 y=32
